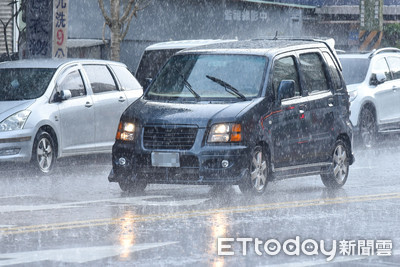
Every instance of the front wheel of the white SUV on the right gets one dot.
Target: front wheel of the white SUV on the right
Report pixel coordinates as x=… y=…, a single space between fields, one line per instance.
x=368 y=129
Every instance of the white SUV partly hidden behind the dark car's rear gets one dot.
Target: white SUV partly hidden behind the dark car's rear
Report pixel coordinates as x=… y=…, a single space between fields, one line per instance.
x=373 y=83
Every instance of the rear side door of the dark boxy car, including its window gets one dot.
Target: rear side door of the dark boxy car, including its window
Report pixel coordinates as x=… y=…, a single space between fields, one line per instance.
x=322 y=105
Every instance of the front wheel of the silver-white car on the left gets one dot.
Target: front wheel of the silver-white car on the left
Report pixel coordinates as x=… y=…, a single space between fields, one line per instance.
x=43 y=152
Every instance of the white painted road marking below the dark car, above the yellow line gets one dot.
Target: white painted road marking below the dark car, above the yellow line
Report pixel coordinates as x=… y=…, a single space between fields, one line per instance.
x=140 y=201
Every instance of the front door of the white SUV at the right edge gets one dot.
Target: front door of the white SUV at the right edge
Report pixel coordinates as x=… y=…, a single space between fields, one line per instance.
x=385 y=94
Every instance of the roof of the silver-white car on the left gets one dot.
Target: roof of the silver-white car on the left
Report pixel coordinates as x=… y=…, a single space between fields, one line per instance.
x=53 y=63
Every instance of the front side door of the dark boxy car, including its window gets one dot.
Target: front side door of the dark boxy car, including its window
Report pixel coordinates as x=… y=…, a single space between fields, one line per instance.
x=287 y=121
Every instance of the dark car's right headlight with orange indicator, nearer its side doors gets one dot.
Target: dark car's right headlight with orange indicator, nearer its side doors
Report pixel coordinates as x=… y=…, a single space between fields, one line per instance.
x=225 y=132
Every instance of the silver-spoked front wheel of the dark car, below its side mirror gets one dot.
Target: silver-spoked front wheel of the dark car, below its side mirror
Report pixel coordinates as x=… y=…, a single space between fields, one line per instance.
x=257 y=179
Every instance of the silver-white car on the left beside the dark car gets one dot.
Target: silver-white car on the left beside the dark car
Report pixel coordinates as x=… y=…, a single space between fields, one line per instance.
x=56 y=108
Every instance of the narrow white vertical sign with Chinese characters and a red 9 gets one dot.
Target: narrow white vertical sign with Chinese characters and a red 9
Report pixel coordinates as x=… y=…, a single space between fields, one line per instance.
x=60 y=28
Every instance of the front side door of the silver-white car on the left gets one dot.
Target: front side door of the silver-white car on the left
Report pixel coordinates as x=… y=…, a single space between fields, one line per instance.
x=76 y=114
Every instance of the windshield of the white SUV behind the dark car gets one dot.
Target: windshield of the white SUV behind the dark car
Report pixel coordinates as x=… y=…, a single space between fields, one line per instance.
x=354 y=69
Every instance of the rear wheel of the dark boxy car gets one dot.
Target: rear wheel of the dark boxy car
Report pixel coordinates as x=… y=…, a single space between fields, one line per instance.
x=336 y=175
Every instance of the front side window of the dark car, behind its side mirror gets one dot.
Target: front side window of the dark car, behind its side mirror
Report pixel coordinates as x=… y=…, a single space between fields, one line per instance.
x=285 y=69
